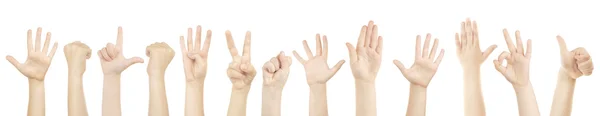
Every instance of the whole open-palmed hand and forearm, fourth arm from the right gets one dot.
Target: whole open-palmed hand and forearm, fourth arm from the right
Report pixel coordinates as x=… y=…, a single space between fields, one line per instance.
x=420 y=74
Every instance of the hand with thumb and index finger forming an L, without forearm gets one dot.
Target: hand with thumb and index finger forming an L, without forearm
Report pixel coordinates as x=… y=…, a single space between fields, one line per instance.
x=111 y=57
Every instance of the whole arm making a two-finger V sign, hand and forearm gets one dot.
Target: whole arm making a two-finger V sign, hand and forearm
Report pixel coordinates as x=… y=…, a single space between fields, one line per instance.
x=241 y=72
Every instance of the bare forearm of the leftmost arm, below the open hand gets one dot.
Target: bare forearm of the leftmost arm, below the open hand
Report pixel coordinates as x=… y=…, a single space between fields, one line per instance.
x=37 y=100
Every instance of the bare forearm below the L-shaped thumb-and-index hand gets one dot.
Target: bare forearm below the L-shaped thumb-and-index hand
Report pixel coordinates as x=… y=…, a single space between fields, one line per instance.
x=111 y=95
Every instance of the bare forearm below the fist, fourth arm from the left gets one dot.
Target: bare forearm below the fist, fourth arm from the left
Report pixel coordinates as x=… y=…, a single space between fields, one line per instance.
x=158 y=98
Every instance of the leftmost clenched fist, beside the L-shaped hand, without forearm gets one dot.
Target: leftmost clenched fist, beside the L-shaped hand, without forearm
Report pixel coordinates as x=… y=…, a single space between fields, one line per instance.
x=76 y=54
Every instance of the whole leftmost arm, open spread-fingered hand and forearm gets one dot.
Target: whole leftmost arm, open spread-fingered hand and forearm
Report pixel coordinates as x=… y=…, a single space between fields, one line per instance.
x=35 y=68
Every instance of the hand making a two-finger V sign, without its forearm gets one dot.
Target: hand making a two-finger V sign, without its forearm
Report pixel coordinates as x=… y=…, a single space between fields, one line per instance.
x=240 y=71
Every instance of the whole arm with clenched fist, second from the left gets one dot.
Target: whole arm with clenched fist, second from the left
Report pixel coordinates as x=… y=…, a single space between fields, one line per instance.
x=76 y=53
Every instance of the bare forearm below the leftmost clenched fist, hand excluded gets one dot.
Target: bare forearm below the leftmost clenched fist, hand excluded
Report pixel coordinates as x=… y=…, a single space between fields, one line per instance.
x=76 y=98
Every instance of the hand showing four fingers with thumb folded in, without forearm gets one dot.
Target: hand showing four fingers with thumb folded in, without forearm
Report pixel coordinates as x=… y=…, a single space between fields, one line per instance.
x=194 y=58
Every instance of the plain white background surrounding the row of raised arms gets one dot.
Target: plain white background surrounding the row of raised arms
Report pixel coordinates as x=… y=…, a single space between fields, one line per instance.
x=278 y=25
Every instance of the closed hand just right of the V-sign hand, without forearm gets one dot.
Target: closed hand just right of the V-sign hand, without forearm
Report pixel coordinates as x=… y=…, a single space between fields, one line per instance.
x=276 y=71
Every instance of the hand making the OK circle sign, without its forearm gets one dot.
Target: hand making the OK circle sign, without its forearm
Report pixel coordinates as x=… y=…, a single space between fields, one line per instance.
x=516 y=70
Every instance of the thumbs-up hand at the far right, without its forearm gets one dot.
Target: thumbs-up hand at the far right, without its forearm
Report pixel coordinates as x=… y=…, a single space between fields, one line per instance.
x=577 y=62
